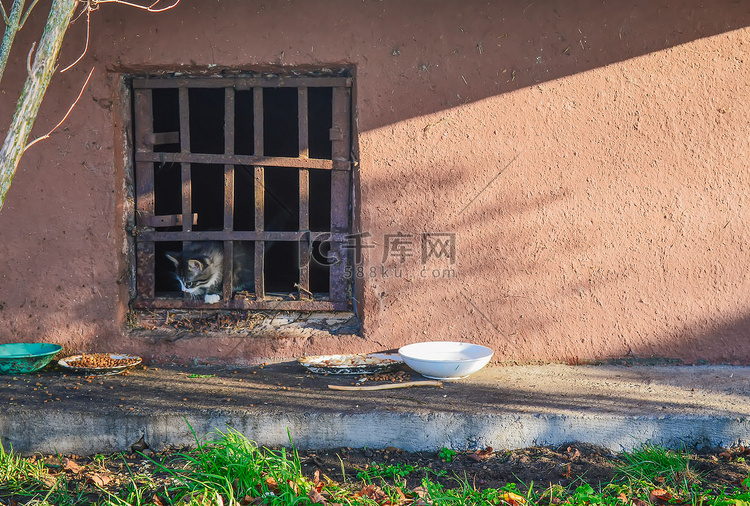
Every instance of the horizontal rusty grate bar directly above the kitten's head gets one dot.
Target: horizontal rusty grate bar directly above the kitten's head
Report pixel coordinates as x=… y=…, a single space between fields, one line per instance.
x=218 y=235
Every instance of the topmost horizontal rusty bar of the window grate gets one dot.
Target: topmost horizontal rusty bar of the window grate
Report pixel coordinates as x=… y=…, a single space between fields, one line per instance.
x=241 y=82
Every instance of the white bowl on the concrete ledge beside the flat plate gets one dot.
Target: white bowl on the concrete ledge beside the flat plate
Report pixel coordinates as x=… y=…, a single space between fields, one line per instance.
x=445 y=360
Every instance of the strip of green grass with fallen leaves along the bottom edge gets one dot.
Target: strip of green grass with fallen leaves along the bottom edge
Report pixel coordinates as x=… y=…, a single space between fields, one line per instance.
x=230 y=470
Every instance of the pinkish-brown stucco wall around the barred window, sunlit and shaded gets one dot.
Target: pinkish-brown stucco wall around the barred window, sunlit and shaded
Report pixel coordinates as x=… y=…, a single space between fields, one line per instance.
x=591 y=159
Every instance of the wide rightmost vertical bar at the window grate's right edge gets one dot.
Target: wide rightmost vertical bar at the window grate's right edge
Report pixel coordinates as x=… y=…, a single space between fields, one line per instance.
x=340 y=186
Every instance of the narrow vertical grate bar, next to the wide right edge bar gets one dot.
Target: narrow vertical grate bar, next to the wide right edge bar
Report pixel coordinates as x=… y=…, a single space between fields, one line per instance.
x=304 y=193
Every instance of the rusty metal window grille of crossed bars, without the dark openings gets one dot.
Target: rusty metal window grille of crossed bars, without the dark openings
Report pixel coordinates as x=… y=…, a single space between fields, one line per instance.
x=146 y=234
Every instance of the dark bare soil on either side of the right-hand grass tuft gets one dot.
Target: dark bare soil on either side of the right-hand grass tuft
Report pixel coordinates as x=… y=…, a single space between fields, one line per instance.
x=565 y=465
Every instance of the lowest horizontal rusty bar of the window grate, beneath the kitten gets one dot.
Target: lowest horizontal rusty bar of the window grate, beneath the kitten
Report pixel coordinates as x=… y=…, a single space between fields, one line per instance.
x=279 y=305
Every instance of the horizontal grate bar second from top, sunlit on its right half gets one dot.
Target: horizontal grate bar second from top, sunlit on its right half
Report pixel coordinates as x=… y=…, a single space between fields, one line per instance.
x=225 y=159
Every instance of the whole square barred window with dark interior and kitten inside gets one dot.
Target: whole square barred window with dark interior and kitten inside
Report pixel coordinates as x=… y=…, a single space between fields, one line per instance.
x=248 y=174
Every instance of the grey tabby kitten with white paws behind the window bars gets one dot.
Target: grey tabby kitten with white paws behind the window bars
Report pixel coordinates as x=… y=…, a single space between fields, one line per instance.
x=199 y=268
